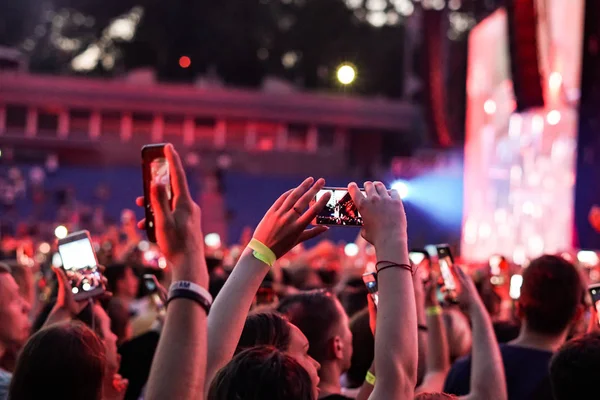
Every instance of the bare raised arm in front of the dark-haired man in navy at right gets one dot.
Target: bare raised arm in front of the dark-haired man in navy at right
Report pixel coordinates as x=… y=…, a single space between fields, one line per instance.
x=487 y=368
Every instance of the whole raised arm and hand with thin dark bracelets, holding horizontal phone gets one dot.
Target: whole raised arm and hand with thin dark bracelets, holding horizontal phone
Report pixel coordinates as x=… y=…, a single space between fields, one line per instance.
x=396 y=336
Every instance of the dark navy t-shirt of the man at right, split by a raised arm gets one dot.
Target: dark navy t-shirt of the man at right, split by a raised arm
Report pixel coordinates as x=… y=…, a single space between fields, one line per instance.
x=526 y=374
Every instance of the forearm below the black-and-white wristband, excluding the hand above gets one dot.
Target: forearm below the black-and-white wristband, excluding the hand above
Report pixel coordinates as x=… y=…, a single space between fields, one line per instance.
x=179 y=366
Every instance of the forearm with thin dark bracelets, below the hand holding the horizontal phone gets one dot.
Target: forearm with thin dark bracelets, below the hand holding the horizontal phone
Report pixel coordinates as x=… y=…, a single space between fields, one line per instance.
x=396 y=335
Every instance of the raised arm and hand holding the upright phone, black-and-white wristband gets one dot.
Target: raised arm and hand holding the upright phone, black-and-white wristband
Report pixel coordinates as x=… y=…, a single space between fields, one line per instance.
x=179 y=365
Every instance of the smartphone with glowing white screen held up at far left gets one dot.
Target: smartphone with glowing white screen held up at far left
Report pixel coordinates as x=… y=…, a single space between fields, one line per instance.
x=81 y=265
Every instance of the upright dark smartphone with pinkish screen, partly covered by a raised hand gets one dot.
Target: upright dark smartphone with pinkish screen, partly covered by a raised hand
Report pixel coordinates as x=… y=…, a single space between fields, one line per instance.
x=155 y=168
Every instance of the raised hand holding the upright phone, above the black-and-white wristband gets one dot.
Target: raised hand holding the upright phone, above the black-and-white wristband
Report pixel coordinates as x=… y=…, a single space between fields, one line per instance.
x=178 y=231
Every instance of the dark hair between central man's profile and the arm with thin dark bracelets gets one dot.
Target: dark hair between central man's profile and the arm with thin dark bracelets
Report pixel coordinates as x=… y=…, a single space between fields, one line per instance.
x=364 y=348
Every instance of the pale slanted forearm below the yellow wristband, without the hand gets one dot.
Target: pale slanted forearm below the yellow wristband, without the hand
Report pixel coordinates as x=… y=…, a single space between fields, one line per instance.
x=230 y=309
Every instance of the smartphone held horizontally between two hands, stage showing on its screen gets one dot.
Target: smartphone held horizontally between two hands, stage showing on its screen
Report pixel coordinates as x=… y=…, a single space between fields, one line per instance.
x=340 y=210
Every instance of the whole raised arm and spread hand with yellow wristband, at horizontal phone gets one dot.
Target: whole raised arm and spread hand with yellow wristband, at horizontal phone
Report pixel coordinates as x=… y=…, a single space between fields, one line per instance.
x=281 y=229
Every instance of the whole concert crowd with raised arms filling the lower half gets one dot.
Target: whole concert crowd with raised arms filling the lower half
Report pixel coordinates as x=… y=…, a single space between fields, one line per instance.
x=270 y=319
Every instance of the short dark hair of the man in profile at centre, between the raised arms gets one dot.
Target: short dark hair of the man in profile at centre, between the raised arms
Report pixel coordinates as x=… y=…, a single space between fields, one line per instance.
x=316 y=314
